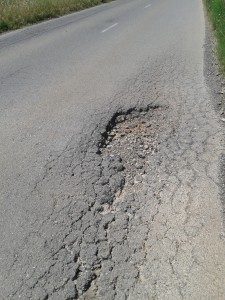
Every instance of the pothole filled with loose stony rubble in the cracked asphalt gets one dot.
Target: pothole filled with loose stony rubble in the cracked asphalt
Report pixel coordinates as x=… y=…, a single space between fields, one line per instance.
x=132 y=139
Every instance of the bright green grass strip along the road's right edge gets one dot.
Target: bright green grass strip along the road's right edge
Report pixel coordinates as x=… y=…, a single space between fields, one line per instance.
x=216 y=9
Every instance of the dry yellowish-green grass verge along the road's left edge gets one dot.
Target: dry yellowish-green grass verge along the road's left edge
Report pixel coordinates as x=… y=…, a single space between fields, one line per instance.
x=15 y=14
